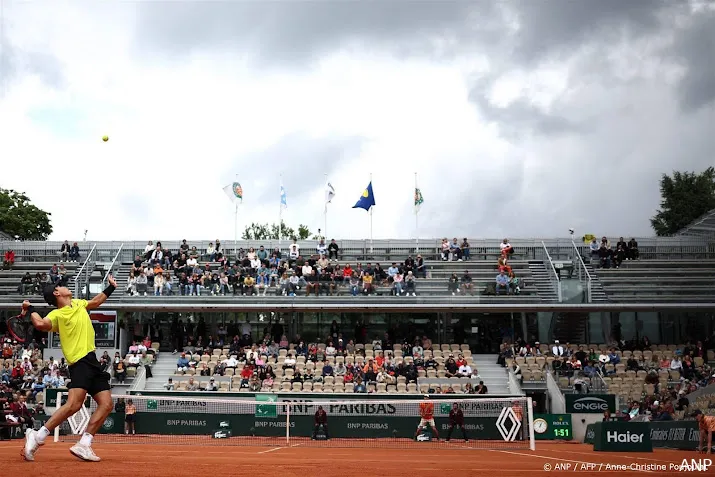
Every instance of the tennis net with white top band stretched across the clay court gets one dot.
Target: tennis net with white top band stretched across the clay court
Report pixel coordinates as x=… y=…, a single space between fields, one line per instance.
x=267 y=419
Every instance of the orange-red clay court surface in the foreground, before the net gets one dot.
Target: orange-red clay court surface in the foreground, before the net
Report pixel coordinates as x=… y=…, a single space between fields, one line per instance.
x=188 y=458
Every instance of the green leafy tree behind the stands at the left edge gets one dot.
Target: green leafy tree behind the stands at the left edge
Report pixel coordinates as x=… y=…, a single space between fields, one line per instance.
x=19 y=218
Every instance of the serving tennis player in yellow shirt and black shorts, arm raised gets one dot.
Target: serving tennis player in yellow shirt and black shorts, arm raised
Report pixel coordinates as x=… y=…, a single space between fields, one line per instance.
x=74 y=326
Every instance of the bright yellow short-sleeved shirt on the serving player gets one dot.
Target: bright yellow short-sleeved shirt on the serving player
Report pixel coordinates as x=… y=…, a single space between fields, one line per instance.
x=75 y=328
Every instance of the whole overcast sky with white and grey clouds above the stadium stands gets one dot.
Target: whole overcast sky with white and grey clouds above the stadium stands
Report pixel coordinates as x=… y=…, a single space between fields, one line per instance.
x=521 y=118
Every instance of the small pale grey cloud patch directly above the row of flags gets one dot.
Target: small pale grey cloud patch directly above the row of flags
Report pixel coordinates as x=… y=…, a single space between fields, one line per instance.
x=302 y=160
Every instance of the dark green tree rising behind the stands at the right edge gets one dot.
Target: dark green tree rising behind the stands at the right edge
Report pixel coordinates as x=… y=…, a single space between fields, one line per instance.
x=684 y=197
